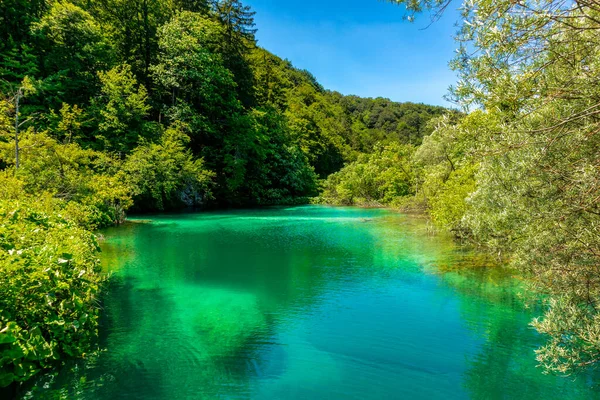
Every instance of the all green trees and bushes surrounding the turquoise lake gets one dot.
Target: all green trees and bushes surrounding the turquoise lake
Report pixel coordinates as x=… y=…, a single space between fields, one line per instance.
x=115 y=106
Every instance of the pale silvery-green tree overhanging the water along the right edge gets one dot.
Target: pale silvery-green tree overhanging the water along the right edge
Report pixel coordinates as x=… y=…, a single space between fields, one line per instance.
x=530 y=66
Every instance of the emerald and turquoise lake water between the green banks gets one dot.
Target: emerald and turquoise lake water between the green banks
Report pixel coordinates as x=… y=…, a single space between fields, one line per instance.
x=307 y=303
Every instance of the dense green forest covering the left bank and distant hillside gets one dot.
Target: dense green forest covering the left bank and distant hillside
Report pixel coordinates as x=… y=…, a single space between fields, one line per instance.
x=109 y=106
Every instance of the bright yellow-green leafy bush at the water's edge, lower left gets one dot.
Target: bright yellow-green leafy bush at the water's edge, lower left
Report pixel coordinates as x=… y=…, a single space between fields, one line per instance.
x=48 y=286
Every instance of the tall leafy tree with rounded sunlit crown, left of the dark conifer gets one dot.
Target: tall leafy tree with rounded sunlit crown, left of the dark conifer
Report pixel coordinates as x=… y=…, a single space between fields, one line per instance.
x=196 y=87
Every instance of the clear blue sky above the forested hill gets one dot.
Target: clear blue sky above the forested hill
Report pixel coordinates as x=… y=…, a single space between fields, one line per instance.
x=361 y=47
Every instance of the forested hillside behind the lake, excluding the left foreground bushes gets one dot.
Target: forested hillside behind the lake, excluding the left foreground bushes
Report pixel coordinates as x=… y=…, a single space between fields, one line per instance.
x=109 y=76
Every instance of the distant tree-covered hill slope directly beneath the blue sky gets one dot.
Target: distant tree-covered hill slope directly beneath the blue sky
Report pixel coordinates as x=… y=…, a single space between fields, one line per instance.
x=333 y=129
